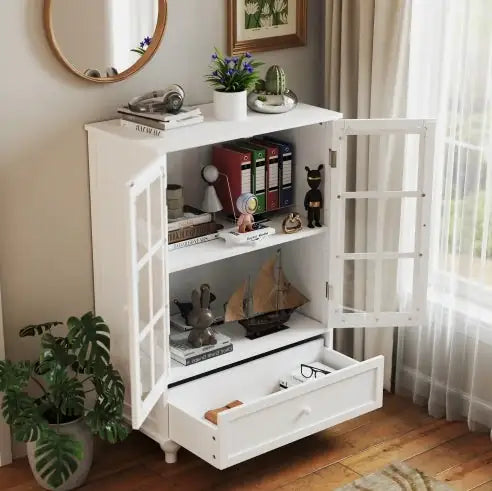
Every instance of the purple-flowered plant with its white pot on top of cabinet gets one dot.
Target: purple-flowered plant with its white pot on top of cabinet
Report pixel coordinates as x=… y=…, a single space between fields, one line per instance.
x=231 y=78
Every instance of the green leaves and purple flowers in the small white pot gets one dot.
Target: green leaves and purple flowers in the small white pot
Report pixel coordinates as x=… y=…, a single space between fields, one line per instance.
x=233 y=74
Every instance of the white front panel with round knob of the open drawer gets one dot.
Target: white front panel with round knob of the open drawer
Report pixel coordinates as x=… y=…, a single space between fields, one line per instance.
x=301 y=411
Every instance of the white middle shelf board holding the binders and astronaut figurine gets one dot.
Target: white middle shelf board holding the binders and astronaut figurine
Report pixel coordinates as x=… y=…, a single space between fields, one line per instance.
x=216 y=250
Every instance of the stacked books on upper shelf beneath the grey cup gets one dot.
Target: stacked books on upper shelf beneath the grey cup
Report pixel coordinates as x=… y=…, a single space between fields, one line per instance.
x=193 y=228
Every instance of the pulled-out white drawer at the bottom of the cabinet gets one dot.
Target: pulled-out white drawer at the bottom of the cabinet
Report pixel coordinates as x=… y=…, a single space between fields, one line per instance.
x=270 y=417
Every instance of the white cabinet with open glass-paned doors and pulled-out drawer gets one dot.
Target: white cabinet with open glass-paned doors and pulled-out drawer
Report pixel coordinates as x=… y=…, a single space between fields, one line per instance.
x=135 y=278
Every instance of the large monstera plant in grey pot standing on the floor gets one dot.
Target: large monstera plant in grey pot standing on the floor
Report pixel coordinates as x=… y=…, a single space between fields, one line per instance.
x=58 y=425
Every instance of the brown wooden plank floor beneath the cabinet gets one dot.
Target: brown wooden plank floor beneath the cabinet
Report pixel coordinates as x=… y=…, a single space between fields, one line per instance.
x=398 y=432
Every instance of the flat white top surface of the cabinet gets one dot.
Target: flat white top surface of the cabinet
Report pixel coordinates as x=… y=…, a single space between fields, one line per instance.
x=213 y=131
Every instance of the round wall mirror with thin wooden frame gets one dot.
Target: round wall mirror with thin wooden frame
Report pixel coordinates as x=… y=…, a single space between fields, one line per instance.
x=104 y=40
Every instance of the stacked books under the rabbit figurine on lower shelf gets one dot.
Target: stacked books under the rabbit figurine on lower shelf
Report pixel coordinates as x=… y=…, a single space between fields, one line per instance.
x=184 y=353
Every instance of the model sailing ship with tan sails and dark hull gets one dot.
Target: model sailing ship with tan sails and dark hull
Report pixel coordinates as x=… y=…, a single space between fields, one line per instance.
x=264 y=307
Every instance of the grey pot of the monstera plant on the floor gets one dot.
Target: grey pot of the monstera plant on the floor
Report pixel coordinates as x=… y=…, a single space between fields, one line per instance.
x=78 y=430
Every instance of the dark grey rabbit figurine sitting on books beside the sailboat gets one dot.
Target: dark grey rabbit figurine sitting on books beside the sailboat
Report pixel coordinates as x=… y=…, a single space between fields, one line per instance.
x=201 y=318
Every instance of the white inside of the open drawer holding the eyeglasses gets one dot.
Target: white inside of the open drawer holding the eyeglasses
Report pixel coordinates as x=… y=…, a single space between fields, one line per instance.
x=251 y=381
